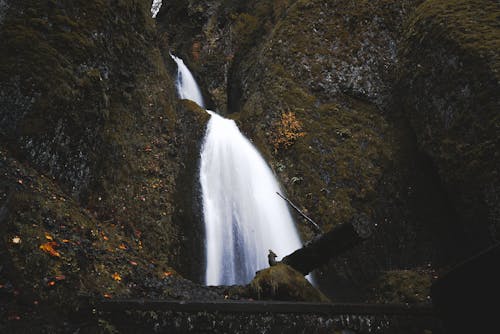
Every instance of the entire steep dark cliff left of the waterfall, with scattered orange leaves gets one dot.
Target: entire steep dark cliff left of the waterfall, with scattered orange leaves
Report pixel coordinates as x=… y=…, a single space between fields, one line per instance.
x=92 y=145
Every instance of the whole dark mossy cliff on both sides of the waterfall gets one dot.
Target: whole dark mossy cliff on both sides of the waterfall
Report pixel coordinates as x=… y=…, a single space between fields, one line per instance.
x=380 y=108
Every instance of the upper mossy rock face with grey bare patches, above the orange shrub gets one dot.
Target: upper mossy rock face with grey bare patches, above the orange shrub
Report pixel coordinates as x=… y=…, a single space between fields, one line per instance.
x=332 y=47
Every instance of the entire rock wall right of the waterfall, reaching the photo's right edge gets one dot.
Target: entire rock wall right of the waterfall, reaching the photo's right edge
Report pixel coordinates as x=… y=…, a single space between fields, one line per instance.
x=334 y=93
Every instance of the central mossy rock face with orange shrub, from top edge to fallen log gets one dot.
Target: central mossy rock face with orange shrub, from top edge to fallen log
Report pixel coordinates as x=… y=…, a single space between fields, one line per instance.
x=317 y=102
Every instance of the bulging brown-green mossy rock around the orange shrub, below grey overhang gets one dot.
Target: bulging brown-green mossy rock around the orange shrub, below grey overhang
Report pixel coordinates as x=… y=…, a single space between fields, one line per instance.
x=346 y=143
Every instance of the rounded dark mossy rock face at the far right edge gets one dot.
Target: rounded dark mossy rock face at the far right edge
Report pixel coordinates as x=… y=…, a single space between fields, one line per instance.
x=449 y=79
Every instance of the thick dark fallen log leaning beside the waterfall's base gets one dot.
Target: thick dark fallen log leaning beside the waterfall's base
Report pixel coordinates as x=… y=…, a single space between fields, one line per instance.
x=326 y=246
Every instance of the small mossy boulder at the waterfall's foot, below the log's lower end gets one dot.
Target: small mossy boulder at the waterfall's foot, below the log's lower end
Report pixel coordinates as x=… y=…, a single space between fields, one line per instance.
x=282 y=282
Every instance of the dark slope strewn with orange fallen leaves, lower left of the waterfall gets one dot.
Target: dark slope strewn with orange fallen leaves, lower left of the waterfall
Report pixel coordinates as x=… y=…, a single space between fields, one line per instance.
x=39 y=212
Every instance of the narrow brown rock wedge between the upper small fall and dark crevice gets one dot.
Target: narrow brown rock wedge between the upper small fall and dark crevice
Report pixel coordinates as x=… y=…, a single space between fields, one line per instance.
x=200 y=32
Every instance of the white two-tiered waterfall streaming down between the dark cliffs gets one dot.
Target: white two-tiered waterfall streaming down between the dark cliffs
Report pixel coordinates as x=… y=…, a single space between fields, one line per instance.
x=244 y=217
